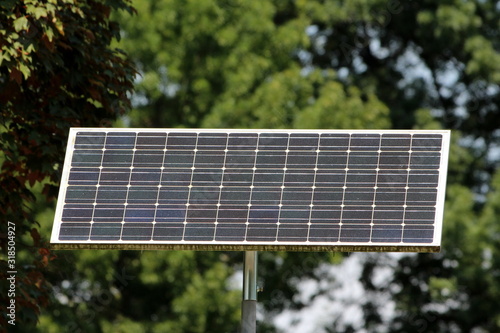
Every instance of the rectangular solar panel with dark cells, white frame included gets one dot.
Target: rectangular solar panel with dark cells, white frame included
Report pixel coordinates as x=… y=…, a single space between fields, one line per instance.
x=217 y=189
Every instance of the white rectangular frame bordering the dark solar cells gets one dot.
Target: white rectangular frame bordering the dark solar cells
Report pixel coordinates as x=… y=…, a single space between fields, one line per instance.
x=246 y=245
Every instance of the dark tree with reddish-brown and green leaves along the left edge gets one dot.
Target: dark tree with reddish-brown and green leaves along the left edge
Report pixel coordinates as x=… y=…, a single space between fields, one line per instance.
x=57 y=70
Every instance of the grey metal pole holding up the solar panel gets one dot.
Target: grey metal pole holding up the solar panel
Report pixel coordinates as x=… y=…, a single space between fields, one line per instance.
x=249 y=303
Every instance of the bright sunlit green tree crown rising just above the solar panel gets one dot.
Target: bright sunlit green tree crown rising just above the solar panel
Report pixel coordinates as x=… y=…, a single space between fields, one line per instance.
x=233 y=65
